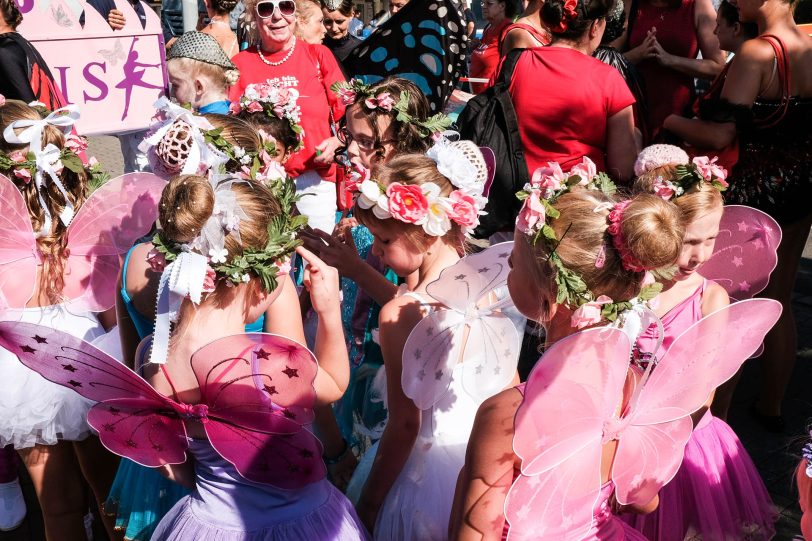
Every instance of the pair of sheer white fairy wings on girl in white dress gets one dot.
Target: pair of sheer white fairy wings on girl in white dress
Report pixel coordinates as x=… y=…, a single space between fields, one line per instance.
x=480 y=337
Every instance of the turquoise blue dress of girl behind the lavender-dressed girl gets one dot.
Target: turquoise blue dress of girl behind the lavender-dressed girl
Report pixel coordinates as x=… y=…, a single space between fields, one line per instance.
x=141 y=496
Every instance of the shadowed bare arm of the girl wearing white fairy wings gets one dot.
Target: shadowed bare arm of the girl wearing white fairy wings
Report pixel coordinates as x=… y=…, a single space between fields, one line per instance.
x=397 y=319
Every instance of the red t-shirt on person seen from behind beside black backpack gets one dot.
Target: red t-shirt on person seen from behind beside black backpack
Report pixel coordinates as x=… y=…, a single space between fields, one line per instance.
x=563 y=100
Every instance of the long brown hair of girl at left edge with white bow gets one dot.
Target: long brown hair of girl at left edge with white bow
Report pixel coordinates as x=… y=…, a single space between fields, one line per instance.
x=52 y=243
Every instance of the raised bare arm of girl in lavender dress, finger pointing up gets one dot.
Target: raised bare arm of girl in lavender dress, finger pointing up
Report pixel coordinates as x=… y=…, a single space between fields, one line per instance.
x=333 y=376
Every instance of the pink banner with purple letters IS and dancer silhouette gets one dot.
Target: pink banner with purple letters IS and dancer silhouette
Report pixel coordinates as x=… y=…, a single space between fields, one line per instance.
x=113 y=75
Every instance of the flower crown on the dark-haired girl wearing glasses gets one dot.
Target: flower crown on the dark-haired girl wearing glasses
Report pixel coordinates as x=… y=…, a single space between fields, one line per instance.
x=349 y=92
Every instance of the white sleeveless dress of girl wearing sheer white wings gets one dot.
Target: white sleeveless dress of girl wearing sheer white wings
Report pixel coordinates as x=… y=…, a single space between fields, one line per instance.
x=418 y=505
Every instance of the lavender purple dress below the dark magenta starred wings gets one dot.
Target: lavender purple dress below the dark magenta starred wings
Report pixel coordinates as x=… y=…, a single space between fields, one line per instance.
x=224 y=506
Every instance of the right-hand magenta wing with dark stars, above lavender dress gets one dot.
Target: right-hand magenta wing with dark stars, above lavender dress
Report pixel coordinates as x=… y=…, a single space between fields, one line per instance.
x=260 y=388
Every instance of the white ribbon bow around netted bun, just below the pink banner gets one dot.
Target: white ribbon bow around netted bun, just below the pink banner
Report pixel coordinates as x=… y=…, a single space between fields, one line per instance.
x=200 y=153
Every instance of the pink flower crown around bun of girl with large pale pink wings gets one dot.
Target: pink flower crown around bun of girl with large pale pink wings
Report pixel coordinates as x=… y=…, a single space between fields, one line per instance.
x=547 y=184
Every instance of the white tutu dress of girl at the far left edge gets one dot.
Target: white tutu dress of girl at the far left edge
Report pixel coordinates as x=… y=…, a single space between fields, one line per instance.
x=32 y=409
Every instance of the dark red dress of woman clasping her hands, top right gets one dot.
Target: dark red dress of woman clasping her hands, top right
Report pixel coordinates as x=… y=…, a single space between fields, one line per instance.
x=668 y=91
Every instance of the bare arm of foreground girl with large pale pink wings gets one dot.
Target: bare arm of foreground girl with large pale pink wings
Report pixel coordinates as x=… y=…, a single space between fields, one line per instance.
x=486 y=477
